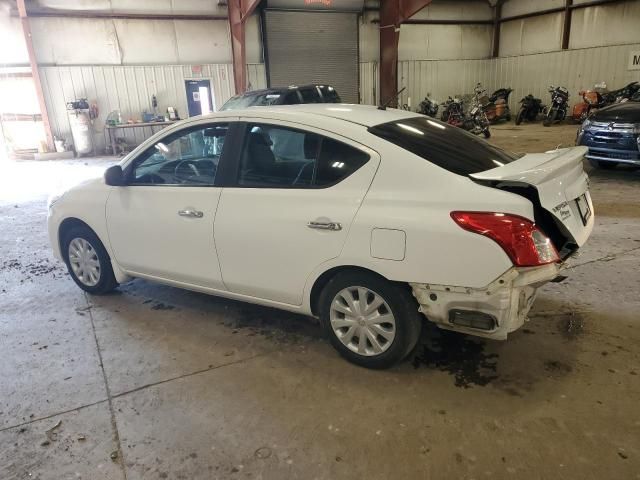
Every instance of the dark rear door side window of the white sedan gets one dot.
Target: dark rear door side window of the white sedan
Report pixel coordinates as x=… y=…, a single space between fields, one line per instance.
x=281 y=157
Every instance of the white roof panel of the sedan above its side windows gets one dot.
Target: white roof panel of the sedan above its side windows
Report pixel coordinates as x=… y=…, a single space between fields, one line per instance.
x=366 y=115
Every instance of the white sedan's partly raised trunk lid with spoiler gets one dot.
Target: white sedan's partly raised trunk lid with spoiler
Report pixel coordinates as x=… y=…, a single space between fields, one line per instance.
x=561 y=183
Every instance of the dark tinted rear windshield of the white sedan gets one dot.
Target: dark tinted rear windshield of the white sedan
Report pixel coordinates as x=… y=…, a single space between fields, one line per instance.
x=447 y=146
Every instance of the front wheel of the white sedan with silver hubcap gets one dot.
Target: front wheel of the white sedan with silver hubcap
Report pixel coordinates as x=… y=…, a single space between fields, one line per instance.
x=88 y=250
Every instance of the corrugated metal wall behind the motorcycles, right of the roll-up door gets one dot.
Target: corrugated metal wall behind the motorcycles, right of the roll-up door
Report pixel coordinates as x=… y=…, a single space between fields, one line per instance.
x=574 y=69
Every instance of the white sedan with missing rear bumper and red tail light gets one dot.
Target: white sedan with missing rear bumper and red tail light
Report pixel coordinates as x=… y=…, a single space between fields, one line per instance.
x=372 y=220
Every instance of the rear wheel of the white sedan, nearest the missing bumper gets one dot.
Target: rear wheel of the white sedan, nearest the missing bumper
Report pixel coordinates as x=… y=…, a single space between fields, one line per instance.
x=401 y=335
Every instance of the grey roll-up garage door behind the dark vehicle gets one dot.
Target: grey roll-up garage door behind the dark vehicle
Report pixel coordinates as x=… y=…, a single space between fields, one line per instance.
x=313 y=47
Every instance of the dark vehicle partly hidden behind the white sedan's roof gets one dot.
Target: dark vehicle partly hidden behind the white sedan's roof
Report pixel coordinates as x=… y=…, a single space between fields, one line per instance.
x=284 y=96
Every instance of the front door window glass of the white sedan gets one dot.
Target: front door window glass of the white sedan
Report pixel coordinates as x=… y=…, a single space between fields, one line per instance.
x=188 y=157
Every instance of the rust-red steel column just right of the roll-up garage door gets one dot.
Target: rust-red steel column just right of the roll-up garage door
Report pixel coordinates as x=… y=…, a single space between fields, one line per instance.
x=392 y=14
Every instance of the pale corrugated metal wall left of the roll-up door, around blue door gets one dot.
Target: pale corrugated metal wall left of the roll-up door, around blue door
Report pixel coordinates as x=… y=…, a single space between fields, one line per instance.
x=129 y=89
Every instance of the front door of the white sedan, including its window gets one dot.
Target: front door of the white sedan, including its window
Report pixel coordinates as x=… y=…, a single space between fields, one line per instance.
x=161 y=223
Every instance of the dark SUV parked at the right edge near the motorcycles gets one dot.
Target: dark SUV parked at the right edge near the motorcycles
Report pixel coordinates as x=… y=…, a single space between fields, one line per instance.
x=612 y=135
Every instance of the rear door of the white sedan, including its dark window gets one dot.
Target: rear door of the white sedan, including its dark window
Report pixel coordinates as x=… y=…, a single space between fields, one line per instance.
x=290 y=209
